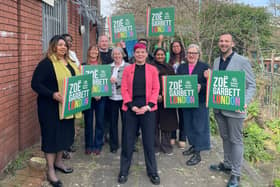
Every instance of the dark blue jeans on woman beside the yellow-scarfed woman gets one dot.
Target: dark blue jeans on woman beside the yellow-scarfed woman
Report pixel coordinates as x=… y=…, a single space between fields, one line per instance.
x=94 y=142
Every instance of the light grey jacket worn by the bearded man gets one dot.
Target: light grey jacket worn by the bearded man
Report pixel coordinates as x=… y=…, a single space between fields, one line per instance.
x=239 y=63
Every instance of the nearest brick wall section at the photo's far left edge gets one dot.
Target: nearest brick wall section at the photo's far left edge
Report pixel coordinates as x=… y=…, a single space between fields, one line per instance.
x=9 y=81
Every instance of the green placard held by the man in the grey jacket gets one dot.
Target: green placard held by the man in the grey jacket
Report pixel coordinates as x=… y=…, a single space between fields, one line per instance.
x=226 y=90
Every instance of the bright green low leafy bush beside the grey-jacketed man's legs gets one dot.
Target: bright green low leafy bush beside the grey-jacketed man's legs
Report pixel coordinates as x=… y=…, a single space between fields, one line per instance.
x=254 y=148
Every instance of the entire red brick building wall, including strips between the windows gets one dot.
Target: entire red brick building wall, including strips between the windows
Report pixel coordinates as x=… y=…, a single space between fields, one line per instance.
x=20 y=52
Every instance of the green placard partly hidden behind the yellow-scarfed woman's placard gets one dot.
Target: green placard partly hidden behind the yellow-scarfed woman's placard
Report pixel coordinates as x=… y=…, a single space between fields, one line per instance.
x=101 y=74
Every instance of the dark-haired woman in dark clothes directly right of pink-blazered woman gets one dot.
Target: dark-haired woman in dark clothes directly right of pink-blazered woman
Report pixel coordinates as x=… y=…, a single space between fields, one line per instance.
x=166 y=117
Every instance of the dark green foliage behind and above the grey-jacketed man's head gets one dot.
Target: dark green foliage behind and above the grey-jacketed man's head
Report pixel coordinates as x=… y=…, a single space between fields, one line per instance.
x=249 y=26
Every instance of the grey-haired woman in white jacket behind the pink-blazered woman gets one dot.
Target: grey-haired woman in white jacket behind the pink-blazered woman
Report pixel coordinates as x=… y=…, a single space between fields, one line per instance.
x=116 y=100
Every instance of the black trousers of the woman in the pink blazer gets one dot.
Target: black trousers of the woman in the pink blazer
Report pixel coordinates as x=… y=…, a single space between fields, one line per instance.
x=130 y=126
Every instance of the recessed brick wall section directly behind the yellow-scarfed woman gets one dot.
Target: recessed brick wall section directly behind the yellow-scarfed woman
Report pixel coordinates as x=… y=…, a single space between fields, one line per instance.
x=30 y=53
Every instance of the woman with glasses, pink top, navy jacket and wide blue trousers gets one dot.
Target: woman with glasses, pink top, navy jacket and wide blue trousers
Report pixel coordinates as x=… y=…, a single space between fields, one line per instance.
x=196 y=120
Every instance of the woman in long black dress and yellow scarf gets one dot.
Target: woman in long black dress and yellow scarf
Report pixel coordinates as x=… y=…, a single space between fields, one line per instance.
x=47 y=81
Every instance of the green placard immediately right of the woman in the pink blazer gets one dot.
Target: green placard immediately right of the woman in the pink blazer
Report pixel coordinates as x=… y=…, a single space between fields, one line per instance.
x=180 y=91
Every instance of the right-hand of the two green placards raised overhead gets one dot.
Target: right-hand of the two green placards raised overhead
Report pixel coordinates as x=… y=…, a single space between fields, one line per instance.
x=160 y=21
